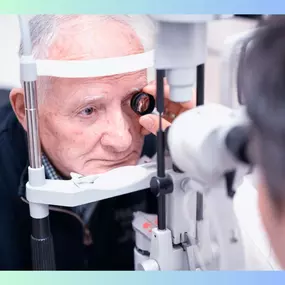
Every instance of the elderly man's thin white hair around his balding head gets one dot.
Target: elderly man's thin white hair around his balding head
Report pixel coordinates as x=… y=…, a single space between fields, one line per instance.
x=44 y=28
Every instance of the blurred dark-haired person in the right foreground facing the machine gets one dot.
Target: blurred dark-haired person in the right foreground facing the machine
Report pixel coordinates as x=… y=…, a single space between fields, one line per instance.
x=262 y=86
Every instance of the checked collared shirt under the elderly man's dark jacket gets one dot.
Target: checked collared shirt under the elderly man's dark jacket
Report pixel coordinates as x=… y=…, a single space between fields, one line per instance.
x=84 y=211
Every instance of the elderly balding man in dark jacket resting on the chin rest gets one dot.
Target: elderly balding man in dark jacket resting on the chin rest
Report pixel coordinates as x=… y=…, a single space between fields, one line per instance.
x=87 y=127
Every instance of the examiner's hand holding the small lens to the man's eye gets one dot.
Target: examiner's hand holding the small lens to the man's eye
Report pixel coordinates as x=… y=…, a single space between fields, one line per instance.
x=150 y=122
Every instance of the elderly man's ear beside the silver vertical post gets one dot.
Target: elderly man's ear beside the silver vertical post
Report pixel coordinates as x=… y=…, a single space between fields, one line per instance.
x=17 y=101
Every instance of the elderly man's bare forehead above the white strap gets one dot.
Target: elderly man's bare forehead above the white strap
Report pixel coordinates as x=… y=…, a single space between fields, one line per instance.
x=88 y=38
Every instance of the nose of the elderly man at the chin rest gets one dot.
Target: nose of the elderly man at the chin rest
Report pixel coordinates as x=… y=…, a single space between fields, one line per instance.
x=117 y=134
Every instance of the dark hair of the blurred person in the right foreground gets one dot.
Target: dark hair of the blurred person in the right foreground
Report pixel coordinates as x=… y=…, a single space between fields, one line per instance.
x=261 y=82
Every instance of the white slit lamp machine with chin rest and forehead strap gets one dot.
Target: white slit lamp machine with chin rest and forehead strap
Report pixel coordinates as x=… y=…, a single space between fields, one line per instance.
x=199 y=163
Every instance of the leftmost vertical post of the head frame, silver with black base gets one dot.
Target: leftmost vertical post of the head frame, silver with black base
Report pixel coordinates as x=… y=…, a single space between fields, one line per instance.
x=41 y=239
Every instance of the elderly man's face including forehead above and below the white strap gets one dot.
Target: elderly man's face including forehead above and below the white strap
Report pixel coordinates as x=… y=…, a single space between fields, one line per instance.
x=87 y=125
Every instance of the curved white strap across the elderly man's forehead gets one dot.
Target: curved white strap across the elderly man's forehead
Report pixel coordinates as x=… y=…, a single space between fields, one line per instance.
x=96 y=67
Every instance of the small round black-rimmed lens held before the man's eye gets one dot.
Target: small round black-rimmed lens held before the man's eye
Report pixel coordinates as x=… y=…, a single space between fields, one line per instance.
x=142 y=103
